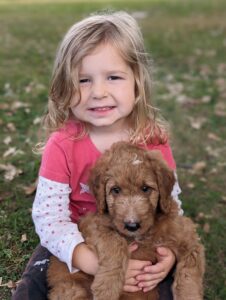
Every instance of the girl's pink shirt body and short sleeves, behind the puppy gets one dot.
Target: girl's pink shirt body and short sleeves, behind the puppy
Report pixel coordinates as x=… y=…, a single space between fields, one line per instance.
x=68 y=160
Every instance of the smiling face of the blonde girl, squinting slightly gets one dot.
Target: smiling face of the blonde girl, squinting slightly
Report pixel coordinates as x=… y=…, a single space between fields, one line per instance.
x=107 y=88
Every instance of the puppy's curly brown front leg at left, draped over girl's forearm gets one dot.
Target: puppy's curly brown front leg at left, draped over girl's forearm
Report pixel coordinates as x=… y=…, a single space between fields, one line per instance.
x=112 y=253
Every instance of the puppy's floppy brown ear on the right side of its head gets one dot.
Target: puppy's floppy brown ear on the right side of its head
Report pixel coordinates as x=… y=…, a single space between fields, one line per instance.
x=165 y=180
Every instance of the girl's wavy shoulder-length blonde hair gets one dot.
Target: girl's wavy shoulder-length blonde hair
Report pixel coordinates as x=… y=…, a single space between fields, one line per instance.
x=121 y=31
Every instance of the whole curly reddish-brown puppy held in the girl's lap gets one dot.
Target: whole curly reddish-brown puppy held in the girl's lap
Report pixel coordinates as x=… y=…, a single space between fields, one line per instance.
x=132 y=188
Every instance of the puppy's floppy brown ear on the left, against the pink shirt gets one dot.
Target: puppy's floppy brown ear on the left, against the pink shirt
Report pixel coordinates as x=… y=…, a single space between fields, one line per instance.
x=97 y=183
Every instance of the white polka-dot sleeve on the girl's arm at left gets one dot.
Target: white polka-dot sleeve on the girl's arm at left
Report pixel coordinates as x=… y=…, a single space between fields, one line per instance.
x=51 y=216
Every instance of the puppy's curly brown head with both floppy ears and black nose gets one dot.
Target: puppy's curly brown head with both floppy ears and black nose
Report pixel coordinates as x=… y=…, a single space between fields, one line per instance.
x=132 y=185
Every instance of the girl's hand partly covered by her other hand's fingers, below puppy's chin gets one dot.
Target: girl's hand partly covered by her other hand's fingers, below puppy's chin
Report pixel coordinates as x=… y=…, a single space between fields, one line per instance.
x=135 y=268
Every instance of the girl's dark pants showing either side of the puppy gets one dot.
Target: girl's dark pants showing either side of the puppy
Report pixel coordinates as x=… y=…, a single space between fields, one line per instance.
x=33 y=285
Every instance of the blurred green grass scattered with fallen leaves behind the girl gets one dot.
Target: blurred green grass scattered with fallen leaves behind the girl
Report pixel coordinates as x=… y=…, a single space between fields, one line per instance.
x=187 y=40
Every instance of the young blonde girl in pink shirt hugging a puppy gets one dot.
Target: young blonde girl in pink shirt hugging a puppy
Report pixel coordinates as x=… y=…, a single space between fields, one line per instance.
x=100 y=94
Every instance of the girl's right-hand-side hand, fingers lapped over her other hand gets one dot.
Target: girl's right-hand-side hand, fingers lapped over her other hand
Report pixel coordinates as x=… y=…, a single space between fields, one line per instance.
x=156 y=273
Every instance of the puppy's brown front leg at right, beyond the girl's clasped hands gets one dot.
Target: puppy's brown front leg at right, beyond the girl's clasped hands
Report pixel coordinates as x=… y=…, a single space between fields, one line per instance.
x=189 y=273
